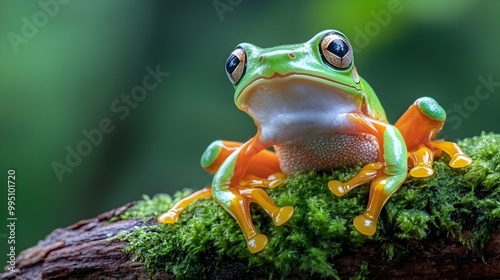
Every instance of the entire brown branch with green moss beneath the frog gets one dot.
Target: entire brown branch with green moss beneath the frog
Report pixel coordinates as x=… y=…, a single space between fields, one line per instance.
x=445 y=226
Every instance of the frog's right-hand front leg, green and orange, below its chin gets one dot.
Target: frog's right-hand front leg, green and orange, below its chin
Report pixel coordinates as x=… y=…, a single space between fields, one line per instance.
x=388 y=174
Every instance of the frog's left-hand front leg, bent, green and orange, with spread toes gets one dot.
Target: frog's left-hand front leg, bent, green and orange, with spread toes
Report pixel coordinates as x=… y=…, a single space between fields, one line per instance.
x=235 y=198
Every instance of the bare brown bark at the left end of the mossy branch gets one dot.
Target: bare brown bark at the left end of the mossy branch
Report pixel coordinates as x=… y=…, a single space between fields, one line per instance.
x=84 y=250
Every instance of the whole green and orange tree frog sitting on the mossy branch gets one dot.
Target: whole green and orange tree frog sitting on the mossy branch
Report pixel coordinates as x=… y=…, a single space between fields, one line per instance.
x=309 y=103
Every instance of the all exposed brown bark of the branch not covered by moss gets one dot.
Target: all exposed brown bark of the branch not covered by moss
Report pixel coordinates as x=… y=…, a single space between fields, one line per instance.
x=85 y=250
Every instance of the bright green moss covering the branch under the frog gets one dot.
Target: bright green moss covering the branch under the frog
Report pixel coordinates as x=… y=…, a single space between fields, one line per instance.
x=207 y=241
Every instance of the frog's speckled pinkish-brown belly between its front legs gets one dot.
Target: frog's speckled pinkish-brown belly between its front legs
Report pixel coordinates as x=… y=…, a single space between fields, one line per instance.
x=327 y=152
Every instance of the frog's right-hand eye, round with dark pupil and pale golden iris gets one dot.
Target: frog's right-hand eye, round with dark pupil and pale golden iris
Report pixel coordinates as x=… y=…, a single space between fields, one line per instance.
x=336 y=50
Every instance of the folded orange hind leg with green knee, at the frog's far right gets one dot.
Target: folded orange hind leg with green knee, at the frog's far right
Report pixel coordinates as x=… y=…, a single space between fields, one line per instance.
x=420 y=125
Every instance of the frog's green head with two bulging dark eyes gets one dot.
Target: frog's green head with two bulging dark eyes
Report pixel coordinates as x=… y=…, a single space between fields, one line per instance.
x=292 y=76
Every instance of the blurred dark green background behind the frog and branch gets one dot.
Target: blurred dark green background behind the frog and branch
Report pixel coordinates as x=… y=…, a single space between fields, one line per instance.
x=63 y=64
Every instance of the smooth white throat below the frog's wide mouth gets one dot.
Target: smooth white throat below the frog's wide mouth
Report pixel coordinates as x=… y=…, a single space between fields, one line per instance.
x=290 y=108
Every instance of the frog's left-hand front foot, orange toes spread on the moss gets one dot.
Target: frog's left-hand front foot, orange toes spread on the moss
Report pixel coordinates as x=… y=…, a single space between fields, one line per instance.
x=237 y=201
